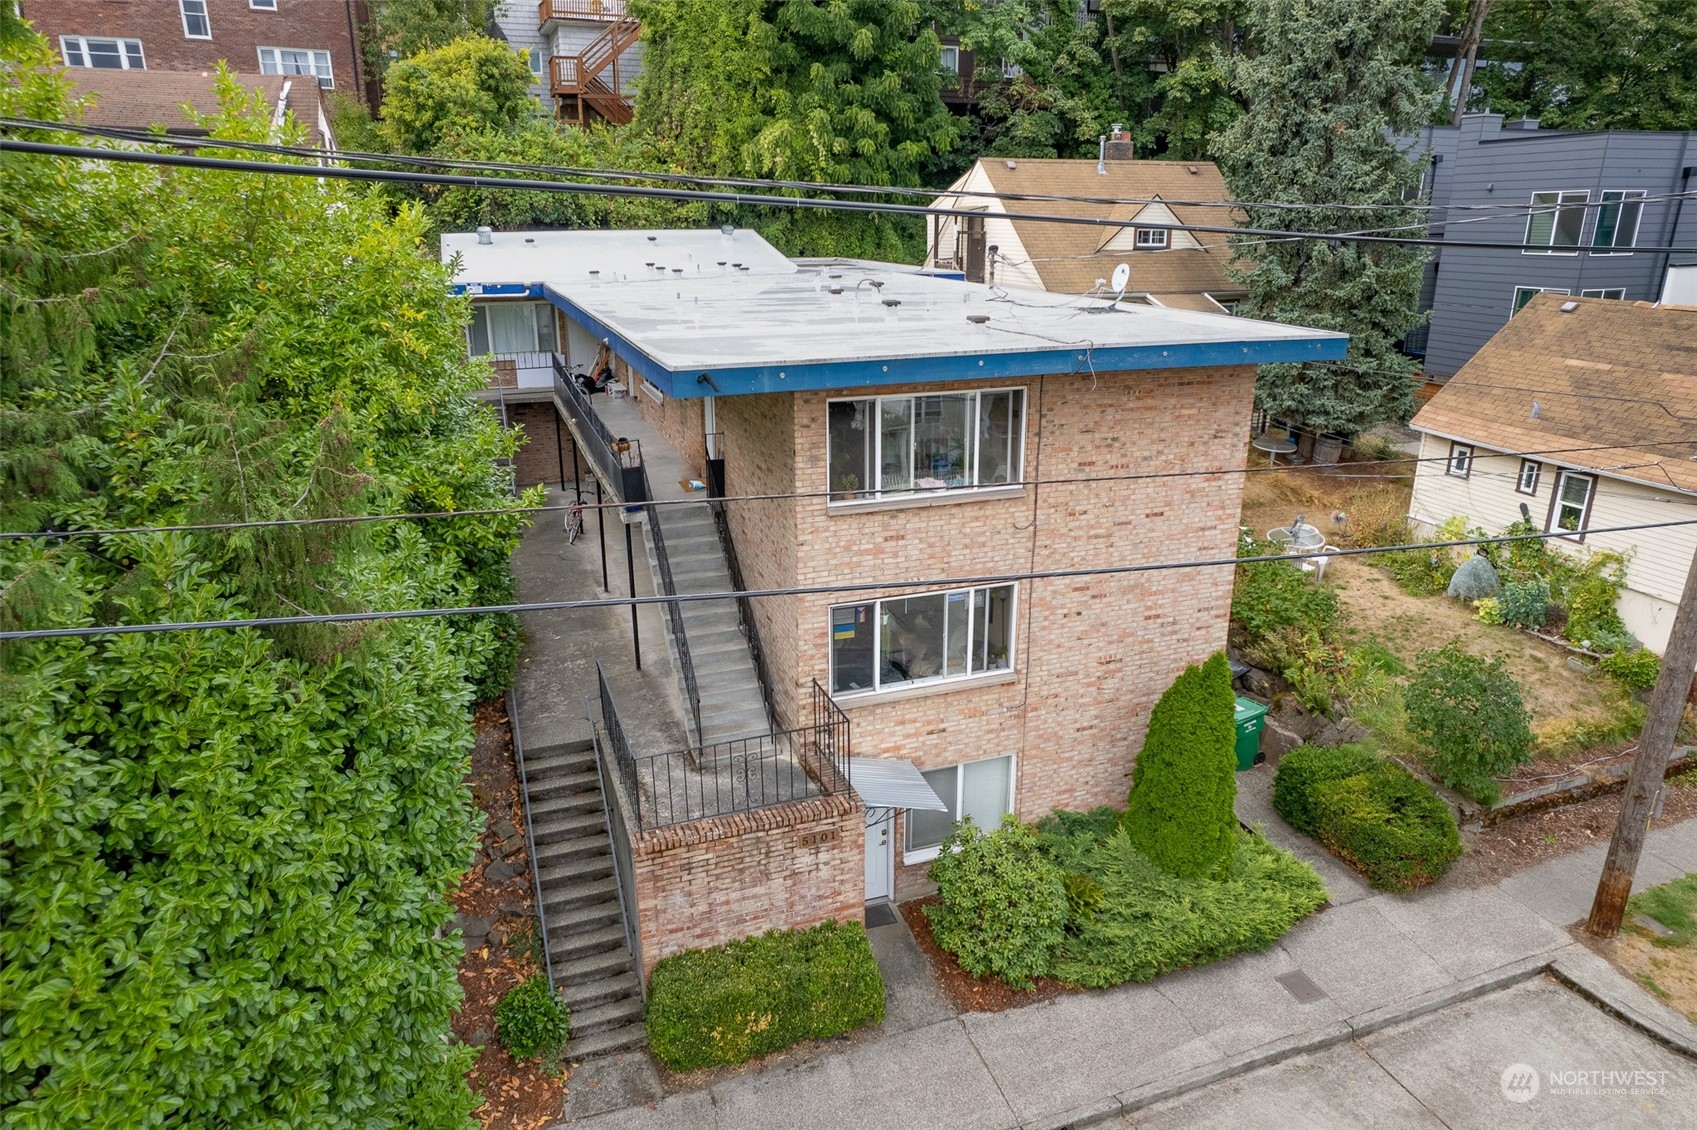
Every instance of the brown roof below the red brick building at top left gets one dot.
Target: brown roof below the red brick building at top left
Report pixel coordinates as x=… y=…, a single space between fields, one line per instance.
x=143 y=99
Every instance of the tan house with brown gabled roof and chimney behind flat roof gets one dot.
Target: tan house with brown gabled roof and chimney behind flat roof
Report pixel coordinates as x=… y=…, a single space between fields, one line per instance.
x=1173 y=269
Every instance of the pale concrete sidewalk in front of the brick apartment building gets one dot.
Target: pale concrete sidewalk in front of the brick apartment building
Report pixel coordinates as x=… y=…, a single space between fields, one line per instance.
x=1375 y=958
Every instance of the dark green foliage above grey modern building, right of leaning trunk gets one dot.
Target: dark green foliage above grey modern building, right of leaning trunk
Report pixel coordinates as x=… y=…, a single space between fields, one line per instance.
x=1598 y=65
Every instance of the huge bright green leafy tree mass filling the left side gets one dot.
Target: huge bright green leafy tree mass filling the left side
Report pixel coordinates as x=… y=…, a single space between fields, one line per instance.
x=227 y=854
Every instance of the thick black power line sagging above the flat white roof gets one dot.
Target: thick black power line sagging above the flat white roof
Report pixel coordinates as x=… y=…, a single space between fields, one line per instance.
x=330 y=172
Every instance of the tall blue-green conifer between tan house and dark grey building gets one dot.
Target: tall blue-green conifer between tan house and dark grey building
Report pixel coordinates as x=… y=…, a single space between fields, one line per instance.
x=1330 y=86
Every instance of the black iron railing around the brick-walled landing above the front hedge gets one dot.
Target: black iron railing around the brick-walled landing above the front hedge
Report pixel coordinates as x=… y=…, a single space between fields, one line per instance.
x=729 y=778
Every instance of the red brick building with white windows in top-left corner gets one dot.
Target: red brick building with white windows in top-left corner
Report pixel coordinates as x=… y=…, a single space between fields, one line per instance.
x=318 y=38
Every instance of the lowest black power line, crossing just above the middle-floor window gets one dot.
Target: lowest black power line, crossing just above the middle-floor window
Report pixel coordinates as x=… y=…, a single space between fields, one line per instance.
x=865 y=586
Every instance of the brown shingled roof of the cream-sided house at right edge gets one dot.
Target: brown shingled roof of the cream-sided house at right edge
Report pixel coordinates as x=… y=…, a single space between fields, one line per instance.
x=1618 y=374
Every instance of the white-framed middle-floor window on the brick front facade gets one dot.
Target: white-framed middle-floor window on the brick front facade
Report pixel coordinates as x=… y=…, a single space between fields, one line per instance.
x=904 y=642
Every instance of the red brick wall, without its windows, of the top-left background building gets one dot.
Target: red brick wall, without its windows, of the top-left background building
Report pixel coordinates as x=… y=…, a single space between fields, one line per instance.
x=238 y=33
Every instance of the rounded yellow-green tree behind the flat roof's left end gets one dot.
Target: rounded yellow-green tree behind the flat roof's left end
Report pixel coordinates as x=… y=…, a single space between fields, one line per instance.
x=461 y=87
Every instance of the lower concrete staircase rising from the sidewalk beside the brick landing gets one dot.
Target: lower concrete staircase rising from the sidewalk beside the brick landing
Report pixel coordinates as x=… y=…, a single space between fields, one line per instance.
x=581 y=903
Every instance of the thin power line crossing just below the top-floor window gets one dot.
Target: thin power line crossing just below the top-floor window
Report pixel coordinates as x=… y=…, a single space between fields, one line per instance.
x=556 y=508
